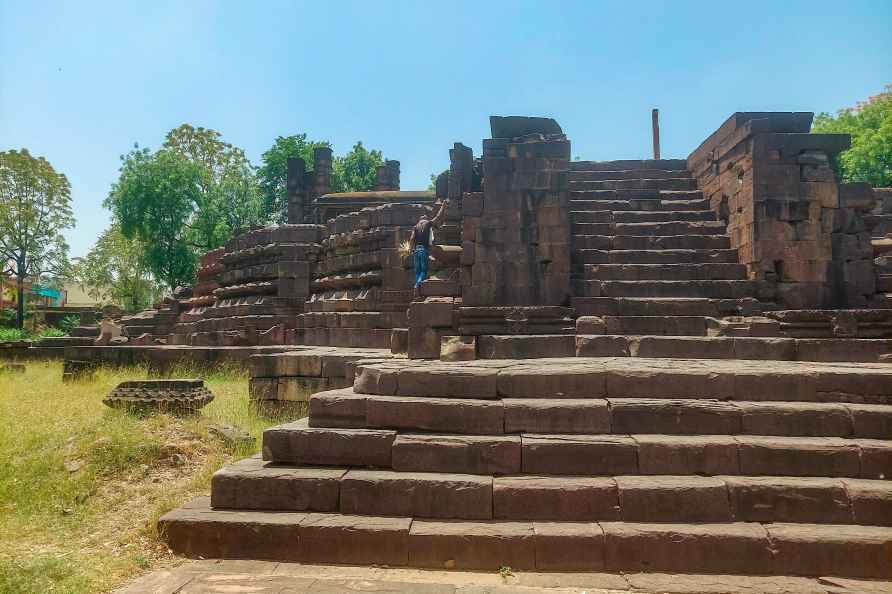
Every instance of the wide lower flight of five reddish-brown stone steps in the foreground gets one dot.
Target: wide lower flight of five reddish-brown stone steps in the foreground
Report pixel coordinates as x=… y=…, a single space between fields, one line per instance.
x=611 y=464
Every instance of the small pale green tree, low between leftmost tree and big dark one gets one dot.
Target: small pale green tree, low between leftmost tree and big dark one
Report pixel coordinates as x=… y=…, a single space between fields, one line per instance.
x=114 y=271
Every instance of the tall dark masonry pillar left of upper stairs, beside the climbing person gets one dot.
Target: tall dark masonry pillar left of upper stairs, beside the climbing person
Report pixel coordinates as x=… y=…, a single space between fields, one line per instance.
x=516 y=232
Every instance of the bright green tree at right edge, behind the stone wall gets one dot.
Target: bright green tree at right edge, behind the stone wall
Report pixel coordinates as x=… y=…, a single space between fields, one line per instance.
x=870 y=124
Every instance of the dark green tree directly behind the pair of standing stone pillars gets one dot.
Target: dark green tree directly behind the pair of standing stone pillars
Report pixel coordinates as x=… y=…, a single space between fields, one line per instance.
x=273 y=171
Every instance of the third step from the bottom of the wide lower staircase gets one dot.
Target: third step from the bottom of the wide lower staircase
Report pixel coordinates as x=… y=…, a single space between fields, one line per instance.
x=598 y=455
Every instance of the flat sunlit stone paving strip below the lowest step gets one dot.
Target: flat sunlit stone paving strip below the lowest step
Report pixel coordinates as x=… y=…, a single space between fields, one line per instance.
x=265 y=577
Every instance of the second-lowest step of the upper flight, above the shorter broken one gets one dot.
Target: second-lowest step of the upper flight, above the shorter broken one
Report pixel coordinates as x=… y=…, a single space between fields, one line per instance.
x=660 y=306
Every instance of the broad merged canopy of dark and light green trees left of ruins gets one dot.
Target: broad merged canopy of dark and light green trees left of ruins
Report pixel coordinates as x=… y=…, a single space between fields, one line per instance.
x=190 y=196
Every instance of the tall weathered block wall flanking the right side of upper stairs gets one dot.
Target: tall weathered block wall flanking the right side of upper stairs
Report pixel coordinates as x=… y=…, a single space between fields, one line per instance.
x=795 y=227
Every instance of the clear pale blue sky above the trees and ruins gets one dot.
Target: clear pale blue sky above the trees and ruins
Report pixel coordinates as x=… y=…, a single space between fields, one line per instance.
x=80 y=82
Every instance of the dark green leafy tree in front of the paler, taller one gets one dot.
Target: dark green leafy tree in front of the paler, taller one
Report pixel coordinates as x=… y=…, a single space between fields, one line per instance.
x=155 y=201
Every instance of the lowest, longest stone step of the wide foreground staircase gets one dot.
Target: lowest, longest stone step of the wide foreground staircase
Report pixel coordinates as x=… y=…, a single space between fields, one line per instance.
x=197 y=530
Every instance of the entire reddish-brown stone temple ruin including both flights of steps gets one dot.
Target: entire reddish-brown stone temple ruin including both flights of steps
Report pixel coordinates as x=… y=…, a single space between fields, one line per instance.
x=675 y=365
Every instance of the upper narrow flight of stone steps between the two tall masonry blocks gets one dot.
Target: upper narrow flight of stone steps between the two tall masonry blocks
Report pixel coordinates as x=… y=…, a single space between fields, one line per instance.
x=649 y=254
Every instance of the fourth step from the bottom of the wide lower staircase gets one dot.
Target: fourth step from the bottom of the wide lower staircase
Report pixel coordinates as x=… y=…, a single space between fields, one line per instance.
x=691 y=416
